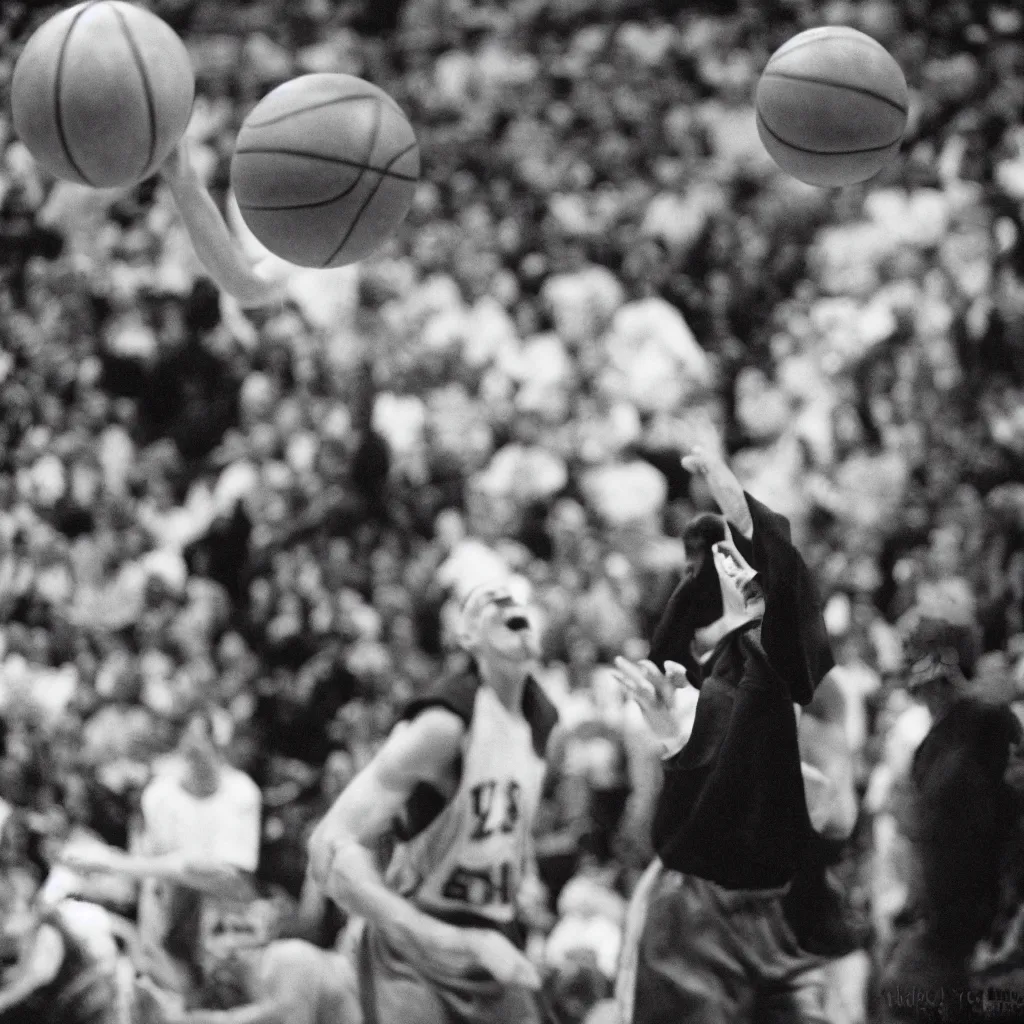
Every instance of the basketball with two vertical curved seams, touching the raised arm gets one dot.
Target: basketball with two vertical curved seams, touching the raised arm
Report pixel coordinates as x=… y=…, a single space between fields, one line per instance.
x=102 y=94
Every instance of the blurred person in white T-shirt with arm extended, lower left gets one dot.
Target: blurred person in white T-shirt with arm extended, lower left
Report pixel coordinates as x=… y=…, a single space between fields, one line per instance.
x=196 y=859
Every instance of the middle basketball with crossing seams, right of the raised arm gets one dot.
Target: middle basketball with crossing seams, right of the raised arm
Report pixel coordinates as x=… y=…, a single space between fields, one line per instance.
x=325 y=169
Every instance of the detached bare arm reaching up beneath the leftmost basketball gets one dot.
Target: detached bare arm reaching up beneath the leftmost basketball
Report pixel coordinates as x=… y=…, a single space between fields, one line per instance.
x=211 y=238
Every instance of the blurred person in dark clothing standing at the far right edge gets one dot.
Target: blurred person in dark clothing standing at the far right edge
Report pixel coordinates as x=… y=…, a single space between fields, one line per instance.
x=959 y=814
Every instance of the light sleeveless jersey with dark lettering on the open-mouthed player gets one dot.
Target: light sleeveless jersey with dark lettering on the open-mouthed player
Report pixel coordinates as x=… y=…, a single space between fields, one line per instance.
x=472 y=859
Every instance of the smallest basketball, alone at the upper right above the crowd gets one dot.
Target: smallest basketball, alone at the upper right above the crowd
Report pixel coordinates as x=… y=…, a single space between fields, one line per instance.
x=832 y=107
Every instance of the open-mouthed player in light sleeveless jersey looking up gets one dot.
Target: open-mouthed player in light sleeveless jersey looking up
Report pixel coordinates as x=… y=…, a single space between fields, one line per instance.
x=457 y=786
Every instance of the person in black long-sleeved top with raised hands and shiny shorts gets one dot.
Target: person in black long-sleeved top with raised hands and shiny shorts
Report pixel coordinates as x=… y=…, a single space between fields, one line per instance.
x=707 y=935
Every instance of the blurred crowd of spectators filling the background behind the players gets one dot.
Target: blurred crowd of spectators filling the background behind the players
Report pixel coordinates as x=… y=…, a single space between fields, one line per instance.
x=278 y=508
